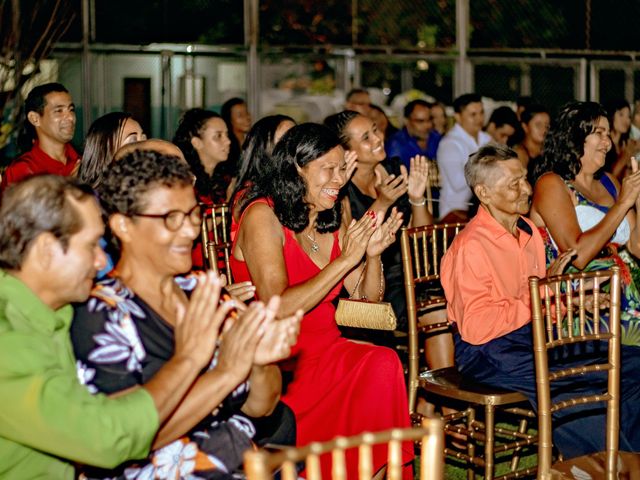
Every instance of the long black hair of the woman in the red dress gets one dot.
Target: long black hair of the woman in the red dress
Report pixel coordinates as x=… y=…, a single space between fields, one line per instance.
x=283 y=184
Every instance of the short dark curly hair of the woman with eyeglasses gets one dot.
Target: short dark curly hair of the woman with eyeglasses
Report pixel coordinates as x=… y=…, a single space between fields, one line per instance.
x=125 y=186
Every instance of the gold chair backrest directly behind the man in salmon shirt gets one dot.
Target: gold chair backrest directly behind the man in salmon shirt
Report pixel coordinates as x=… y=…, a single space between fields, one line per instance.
x=422 y=250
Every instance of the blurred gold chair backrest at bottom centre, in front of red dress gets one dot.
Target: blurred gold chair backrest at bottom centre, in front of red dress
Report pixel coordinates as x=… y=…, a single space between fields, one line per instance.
x=261 y=465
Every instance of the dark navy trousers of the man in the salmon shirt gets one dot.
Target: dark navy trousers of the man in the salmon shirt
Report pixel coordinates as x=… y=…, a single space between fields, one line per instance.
x=507 y=362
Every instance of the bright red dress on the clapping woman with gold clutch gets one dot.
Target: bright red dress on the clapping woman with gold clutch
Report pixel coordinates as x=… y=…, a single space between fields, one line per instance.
x=339 y=387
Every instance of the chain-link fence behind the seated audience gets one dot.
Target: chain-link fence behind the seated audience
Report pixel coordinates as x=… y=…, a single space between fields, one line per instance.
x=310 y=54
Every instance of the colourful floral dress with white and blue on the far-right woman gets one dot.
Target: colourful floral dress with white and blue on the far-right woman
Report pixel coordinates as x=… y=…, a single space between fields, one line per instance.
x=614 y=253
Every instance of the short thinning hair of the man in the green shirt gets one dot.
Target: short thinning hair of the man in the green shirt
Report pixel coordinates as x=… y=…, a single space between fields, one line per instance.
x=40 y=204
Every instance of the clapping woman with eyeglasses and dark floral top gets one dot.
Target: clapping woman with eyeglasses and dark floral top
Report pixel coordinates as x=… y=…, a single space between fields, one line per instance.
x=124 y=333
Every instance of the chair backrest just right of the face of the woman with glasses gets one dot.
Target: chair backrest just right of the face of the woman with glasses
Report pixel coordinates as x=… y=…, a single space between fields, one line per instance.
x=215 y=234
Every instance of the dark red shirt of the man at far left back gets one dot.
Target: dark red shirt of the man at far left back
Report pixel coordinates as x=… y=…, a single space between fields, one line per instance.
x=36 y=161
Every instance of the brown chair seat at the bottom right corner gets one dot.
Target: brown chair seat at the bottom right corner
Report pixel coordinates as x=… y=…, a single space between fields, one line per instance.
x=593 y=466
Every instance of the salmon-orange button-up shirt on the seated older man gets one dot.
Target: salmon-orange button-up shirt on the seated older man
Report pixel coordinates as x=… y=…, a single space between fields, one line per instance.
x=485 y=276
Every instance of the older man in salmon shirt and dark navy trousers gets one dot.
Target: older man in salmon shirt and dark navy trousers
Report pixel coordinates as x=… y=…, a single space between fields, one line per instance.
x=485 y=276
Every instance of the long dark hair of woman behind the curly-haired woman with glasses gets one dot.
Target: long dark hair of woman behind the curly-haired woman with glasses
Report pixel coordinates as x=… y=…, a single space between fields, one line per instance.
x=100 y=146
